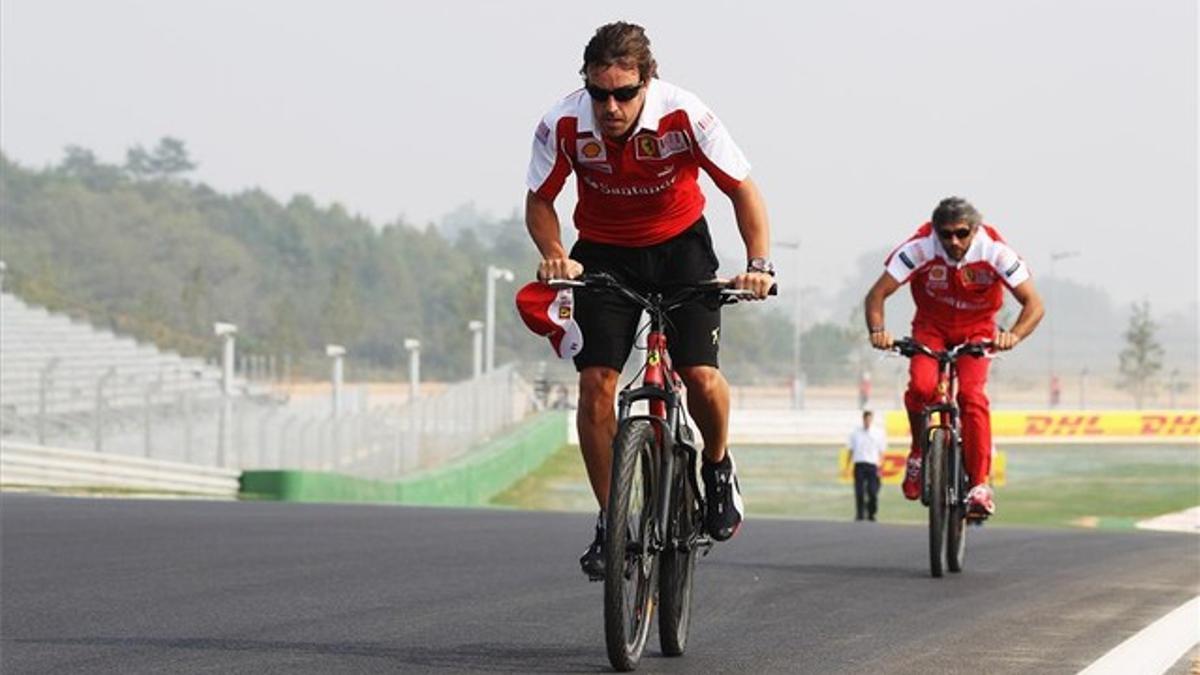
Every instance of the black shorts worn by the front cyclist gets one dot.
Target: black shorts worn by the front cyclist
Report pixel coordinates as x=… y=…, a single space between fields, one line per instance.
x=609 y=322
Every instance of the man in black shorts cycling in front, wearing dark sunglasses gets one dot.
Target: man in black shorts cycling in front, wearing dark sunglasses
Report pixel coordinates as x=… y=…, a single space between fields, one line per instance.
x=637 y=146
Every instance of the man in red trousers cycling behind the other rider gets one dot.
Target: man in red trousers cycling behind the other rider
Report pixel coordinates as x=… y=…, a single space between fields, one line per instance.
x=958 y=268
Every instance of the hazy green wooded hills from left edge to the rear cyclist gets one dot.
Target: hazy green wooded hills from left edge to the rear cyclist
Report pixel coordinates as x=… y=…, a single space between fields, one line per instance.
x=142 y=249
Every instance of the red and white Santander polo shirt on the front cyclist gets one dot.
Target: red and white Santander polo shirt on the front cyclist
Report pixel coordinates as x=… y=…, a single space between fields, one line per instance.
x=643 y=192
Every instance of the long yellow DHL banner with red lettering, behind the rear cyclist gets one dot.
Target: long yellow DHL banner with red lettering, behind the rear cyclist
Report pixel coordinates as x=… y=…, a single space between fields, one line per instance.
x=1033 y=427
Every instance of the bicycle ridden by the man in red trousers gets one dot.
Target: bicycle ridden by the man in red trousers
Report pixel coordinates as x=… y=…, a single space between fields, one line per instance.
x=945 y=482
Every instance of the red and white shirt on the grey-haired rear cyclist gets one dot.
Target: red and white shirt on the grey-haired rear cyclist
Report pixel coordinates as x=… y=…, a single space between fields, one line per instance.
x=963 y=297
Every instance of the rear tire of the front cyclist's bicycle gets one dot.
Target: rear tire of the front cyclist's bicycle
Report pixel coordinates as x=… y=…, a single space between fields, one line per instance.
x=677 y=569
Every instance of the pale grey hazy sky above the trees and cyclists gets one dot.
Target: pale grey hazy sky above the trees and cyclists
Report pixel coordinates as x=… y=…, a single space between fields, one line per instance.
x=1071 y=124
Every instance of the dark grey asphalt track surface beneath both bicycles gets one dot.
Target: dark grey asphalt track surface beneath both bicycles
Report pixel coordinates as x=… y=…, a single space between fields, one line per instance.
x=190 y=587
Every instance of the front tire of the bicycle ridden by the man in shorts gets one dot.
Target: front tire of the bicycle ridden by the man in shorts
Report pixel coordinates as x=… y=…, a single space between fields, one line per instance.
x=631 y=565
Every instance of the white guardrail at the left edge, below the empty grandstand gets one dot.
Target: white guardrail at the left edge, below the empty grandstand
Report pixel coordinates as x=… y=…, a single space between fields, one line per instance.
x=39 y=467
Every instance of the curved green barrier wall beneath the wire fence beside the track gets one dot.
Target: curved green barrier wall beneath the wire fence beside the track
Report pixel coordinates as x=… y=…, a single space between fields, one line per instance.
x=471 y=482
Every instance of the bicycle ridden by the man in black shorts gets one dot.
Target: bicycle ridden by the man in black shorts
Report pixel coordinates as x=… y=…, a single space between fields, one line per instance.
x=656 y=523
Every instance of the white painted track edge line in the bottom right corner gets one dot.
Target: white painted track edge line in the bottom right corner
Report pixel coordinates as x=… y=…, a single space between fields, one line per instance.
x=1156 y=648
